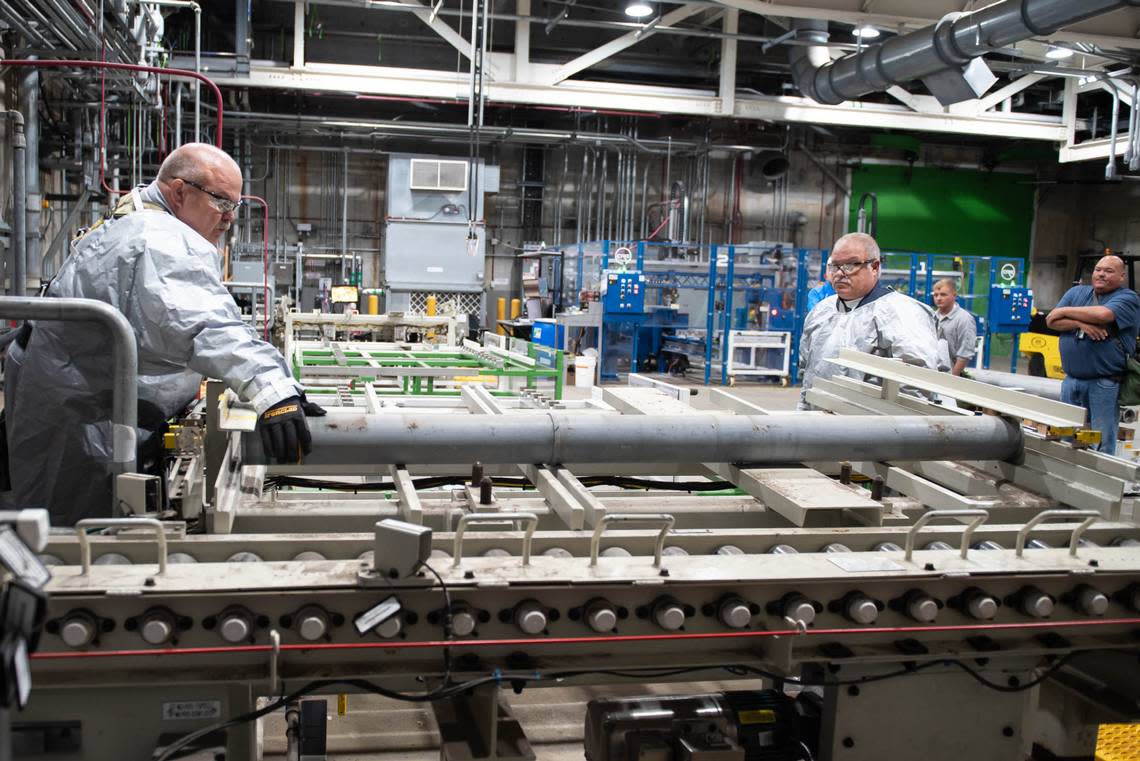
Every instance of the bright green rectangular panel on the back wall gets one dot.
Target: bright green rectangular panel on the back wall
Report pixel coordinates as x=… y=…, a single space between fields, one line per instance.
x=949 y=211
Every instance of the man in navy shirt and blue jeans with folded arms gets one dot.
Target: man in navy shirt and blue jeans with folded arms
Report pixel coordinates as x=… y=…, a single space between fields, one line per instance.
x=1098 y=326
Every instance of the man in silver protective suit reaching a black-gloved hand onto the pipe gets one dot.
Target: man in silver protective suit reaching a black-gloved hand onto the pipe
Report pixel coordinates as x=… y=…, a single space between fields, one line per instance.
x=156 y=259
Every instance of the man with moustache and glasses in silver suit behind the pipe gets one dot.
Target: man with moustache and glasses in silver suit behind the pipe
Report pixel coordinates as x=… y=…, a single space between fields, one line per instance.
x=864 y=315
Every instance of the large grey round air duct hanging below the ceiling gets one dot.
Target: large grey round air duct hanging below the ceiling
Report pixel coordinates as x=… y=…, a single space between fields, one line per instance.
x=946 y=56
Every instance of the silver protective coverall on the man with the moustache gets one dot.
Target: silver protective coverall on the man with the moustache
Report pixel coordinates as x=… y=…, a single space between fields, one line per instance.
x=885 y=323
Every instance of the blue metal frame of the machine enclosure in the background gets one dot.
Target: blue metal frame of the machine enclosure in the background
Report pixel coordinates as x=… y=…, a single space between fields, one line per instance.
x=918 y=282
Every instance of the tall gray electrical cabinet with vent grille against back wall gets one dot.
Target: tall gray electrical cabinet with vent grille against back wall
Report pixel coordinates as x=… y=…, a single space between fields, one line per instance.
x=427 y=248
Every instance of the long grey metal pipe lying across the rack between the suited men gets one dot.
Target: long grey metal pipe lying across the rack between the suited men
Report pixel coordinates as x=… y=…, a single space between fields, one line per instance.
x=559 y=438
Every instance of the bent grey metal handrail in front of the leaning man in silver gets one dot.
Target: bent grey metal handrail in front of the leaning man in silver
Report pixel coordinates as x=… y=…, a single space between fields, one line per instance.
x=125 y=358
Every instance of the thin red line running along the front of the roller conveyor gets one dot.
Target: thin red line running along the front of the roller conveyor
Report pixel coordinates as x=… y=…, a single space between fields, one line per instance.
x=519 y=642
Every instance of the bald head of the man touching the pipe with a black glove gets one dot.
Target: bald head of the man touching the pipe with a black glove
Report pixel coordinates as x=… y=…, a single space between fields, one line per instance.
x=201 y=183
